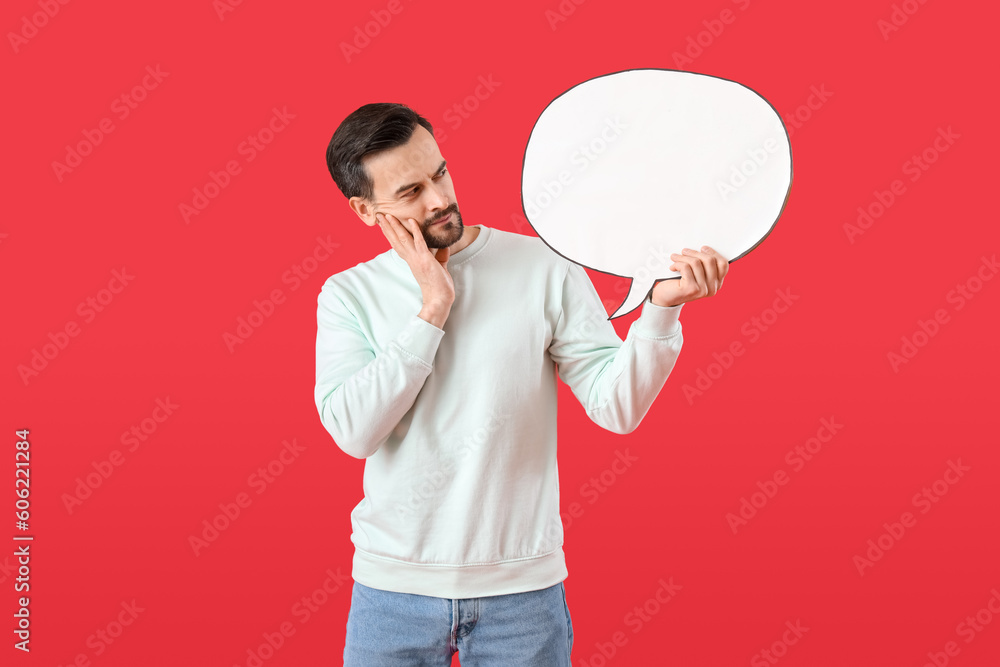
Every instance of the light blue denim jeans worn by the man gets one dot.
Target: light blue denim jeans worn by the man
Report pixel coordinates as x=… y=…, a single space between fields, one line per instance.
x=387 y=629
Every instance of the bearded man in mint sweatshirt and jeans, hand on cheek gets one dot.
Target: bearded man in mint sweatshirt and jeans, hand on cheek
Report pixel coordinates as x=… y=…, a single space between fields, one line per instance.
x=436 y=362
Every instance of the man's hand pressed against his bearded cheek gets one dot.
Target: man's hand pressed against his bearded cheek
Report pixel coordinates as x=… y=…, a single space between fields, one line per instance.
x=429 y=268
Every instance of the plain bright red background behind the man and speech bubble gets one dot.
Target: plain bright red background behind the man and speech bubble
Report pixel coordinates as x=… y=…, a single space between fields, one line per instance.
x=826 y=357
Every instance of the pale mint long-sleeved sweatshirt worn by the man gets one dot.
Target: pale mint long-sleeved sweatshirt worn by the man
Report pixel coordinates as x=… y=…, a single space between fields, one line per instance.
x=458 y=426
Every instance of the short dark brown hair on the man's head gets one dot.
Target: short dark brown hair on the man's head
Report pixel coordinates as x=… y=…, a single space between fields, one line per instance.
x=369 y=129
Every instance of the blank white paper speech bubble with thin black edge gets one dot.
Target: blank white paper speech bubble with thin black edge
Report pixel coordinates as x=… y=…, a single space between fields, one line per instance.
x=624 y=169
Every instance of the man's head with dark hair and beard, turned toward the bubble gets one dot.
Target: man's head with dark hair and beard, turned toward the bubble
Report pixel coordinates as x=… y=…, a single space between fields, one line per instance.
x=384 y=159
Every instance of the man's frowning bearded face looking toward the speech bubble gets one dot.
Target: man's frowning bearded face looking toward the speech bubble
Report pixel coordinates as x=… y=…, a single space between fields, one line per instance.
x=412 y=181
